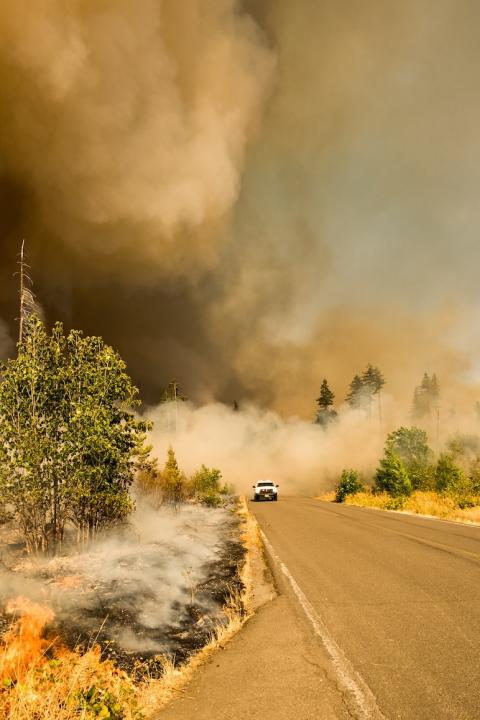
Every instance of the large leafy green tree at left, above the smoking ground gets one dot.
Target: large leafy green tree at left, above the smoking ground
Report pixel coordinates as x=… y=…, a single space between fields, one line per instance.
x=70 y=439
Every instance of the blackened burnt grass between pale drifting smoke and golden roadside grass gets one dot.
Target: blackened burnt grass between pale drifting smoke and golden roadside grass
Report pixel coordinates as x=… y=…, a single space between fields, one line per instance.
x=111 y=612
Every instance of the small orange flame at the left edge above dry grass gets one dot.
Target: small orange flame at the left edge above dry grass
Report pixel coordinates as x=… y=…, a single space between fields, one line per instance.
x=23 y=644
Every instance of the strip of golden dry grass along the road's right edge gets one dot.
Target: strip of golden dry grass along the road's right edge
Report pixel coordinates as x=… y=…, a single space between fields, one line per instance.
x=420 y=503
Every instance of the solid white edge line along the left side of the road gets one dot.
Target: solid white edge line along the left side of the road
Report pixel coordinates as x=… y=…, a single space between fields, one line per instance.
x=349 y=679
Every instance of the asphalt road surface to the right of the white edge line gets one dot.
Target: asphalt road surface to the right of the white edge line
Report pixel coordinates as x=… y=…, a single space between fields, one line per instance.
x=397 y=596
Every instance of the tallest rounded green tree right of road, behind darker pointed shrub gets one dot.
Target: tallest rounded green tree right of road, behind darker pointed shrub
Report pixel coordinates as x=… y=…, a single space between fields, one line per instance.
x=411 y=446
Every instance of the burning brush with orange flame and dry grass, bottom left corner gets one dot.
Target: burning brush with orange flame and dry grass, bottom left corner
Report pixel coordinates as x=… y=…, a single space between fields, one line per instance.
x=41 y=679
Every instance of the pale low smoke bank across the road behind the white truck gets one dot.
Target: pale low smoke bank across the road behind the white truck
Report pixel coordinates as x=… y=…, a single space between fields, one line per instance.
x=253 y=444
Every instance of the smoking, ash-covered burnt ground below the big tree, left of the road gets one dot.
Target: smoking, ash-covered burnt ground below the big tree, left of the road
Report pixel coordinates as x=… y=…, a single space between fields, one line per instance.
x=157 y=587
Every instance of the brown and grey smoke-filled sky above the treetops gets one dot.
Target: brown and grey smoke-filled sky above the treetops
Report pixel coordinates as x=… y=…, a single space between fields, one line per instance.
x=248 y=196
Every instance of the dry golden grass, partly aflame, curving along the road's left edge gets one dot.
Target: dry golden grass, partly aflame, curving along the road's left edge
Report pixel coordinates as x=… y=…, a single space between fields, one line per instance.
x=40 y=680
